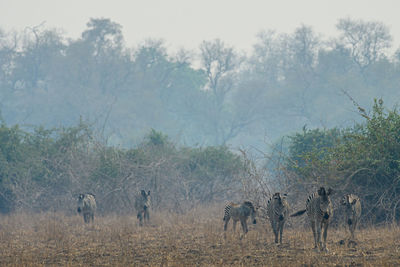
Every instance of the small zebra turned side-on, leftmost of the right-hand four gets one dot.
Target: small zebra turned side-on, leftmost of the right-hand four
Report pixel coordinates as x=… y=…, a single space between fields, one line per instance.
x=239 y=212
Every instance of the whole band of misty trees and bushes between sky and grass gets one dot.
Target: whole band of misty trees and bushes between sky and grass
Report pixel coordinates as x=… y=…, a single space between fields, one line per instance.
x=95 y=115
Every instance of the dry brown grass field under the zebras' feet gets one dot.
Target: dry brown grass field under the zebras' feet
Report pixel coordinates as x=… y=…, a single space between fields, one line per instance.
x=173 y=240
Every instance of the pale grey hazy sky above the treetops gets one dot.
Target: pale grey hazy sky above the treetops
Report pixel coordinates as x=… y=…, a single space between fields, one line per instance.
x=186 y=23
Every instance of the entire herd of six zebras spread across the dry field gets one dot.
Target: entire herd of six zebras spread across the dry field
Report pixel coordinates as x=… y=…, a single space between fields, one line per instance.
x=318 y=208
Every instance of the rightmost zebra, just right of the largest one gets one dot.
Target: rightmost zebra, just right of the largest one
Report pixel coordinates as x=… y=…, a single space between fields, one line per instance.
x=352 y=205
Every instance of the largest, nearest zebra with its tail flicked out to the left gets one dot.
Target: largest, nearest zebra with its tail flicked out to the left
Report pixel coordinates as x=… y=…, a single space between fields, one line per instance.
x=319 y=211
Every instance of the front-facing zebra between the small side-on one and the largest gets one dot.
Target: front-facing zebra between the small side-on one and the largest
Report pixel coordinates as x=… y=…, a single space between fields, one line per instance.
x=277 y=211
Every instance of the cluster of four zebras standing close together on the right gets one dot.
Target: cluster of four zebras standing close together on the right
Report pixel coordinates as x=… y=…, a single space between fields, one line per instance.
x=318 y=208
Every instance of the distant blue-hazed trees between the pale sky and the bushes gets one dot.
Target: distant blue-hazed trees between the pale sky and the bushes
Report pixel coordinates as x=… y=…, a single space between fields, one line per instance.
x=216 y=95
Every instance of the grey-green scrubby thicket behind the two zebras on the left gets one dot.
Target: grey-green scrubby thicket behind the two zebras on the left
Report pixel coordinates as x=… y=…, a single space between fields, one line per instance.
x=47 y=169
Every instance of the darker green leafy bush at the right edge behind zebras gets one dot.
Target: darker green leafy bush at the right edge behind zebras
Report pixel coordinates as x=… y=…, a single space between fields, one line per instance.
x=363 y=159
